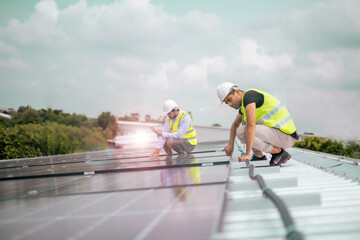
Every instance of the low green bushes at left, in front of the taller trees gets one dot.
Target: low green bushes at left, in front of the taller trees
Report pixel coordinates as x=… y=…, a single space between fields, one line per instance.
x=50 y=138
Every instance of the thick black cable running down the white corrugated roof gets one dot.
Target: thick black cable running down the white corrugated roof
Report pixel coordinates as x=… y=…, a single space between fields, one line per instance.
x=291 y=232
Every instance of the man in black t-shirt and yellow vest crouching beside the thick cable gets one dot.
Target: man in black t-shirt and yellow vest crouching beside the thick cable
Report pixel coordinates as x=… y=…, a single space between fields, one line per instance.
x=263 y=124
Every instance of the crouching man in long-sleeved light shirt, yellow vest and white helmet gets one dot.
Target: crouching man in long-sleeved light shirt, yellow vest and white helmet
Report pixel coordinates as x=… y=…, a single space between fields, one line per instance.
x=178 y=132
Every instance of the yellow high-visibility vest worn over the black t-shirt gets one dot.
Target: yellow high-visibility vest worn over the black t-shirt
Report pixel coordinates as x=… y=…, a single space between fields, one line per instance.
x=272 y=113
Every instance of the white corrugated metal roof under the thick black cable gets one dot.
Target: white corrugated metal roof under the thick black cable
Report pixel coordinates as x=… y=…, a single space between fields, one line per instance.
x=324 y=200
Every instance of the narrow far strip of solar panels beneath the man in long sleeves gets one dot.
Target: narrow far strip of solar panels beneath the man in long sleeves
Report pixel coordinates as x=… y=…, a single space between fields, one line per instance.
x=107 y=162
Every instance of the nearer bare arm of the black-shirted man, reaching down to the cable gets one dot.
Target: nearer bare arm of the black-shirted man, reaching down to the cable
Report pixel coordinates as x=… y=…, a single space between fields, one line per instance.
x=249 y=130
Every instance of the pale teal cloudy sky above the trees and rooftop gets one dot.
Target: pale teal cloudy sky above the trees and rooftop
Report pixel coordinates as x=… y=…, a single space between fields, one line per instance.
x=127 y=56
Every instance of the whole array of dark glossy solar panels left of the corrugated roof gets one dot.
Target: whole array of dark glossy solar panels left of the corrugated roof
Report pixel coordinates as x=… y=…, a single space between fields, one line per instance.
x=114 y=194
